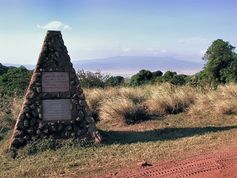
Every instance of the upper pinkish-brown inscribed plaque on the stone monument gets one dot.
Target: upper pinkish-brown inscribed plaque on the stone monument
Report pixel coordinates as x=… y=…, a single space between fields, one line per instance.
x=55 y=81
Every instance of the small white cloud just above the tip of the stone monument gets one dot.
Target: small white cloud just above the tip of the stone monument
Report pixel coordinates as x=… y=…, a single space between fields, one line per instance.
x=55 y=25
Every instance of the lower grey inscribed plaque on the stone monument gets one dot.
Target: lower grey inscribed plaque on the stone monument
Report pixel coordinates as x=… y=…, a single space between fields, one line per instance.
x=57 y=109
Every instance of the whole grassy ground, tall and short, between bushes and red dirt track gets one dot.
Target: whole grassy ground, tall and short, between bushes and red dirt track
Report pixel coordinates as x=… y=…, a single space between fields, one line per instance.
x=151 y=123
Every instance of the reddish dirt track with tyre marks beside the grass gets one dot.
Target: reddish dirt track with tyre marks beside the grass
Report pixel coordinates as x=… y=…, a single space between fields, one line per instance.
x=216 y=165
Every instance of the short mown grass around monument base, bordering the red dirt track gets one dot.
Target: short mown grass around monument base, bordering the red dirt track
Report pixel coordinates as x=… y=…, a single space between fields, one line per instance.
x=171 y=138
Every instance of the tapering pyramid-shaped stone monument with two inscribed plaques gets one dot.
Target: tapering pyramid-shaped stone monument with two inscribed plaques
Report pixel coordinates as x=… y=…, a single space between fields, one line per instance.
x=54 y=104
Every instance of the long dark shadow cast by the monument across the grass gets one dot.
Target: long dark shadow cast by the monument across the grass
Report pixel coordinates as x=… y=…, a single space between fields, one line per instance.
x=165 y=134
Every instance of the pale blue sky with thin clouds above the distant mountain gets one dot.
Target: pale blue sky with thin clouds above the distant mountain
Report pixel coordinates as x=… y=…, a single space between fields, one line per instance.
x=102 y=28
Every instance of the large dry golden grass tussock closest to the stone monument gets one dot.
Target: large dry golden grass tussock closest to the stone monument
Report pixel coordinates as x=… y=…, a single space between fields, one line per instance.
x=117 y=104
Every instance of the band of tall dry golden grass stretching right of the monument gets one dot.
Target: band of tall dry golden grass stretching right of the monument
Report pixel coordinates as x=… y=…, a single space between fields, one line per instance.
x=158 y=100
